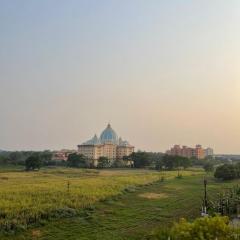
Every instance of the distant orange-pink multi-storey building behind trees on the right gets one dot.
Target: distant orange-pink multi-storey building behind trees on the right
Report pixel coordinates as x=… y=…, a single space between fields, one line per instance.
x=198 y=152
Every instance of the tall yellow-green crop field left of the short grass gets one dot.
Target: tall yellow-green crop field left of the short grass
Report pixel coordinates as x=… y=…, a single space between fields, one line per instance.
x=28 y=197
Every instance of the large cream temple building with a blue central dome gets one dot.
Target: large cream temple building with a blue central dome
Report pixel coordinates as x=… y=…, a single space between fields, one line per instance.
x=108 y=145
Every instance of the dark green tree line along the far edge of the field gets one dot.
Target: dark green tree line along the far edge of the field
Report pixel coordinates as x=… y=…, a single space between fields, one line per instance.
x=141 y=159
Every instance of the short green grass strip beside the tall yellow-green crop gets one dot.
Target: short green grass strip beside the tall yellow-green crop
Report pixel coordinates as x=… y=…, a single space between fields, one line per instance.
x=134 y=214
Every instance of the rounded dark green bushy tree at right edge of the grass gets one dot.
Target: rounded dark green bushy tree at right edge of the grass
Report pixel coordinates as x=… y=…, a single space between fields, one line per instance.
x=225 y=172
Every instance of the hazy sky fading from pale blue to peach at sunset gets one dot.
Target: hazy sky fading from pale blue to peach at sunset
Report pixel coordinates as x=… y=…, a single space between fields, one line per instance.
x=161 y=72
